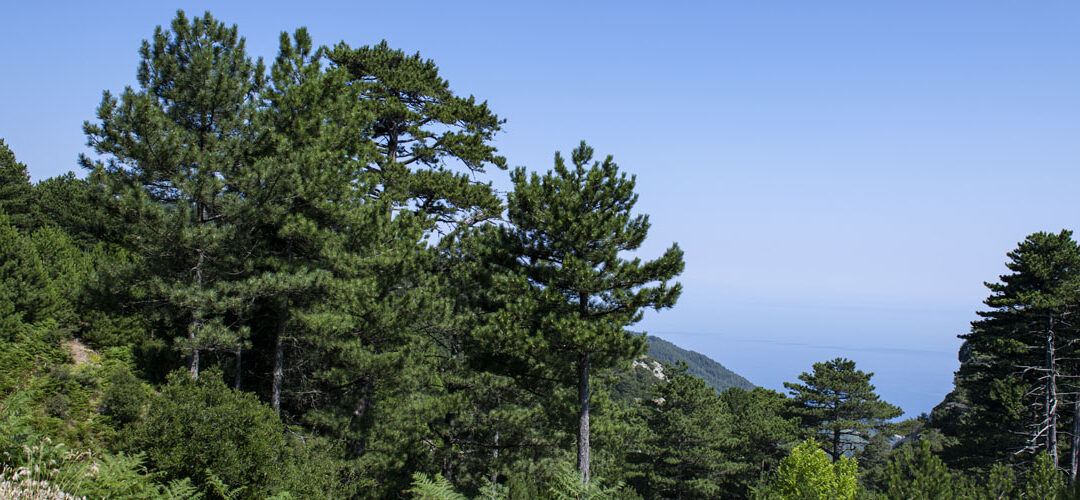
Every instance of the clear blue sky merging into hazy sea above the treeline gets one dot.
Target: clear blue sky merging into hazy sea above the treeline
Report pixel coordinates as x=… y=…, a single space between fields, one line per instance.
x=842 y=175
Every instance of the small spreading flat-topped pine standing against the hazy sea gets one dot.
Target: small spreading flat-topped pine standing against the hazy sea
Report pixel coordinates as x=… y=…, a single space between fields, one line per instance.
x=839 y=403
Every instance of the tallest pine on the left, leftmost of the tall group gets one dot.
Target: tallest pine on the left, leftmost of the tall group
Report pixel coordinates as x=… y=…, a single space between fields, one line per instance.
x=172 y=151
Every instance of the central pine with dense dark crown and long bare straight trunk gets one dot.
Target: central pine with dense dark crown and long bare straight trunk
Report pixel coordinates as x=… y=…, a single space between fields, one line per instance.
x=575 y=293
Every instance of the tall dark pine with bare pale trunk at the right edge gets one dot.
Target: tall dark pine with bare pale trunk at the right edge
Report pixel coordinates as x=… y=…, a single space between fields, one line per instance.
x=1018 y=362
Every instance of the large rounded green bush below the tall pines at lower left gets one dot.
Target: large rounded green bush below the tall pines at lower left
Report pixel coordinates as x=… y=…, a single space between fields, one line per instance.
x=228 y=442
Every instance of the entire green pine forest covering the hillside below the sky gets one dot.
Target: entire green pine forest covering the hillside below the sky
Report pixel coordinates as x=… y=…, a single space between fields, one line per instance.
x=295 y=279
